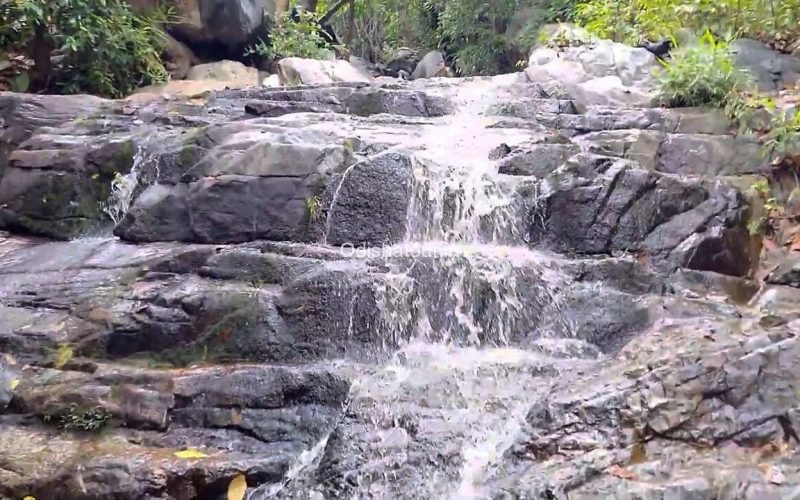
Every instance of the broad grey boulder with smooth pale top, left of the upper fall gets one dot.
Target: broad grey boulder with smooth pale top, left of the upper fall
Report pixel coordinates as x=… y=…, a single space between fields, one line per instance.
x=239 y=183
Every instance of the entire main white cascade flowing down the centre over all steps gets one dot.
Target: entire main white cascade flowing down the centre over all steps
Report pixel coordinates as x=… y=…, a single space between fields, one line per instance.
x=460 y=296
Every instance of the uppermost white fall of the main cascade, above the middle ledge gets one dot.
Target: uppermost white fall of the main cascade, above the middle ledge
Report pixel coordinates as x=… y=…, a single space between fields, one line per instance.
x=458 y=195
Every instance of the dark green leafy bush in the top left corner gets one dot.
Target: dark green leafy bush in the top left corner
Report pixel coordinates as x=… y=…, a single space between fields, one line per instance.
x=101 y=46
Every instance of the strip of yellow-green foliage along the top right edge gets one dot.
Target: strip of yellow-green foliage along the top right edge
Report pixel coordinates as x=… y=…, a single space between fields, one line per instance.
x=633 y=21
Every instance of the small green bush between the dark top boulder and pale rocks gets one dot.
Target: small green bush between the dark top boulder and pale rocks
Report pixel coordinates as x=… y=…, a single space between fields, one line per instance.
x=293 y=39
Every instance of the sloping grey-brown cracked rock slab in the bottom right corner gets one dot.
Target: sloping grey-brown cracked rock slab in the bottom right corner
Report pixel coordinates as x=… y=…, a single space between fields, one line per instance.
x=712 y=415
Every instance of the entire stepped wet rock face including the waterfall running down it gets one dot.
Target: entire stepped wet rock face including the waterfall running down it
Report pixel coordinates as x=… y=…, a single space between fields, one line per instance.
x=403 y=290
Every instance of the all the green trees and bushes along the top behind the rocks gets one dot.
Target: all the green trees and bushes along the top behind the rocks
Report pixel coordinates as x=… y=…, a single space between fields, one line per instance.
x=63 y=38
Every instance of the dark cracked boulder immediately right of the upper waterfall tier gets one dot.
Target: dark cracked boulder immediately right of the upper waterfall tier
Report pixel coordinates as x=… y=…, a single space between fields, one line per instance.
x=599 y=205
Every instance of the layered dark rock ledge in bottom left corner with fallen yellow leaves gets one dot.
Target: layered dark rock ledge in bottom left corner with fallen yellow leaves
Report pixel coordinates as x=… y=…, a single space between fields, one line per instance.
x=103 y=431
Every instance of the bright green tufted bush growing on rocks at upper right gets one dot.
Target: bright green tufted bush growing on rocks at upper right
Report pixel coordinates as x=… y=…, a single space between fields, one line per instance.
x=700 y=75
